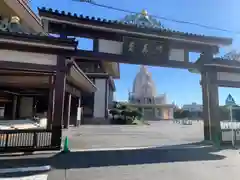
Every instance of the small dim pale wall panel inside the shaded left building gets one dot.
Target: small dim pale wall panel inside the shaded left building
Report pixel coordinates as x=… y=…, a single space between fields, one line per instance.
x=26 y=106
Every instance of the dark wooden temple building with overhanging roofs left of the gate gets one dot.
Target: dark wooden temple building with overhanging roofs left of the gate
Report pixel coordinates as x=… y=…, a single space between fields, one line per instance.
x=31 y=86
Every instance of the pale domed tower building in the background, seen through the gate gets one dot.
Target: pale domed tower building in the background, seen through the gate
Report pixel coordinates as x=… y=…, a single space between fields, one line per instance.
x=144 y=97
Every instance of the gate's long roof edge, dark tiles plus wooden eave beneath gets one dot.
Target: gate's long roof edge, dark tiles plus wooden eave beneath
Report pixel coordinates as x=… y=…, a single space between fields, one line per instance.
x=109 y=26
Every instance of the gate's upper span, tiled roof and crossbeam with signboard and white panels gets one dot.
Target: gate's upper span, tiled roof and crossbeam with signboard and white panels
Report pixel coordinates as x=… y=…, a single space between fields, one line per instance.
x=115 y=41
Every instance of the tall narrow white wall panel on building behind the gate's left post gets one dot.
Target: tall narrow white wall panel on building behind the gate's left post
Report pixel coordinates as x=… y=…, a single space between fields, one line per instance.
x=99 y=98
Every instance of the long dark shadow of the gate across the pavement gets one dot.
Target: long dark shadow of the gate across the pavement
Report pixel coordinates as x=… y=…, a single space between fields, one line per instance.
x=72 y=160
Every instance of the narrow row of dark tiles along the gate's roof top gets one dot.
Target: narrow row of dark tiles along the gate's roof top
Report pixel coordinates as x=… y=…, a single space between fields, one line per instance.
x=118 y=24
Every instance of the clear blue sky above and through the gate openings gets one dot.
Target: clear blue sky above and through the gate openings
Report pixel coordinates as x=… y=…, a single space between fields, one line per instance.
x=222 y=14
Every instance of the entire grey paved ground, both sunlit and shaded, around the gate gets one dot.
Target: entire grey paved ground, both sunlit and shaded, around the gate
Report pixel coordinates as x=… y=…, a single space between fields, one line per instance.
x=175 y=153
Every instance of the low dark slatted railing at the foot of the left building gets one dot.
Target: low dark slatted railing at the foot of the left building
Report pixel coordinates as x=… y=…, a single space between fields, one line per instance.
x=27 y=140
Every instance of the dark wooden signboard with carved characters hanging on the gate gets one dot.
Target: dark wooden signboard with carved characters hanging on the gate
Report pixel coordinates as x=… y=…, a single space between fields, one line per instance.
x=146 y=50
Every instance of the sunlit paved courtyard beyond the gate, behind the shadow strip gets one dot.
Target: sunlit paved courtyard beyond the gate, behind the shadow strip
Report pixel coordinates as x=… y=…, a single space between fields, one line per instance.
x=157 y=134
